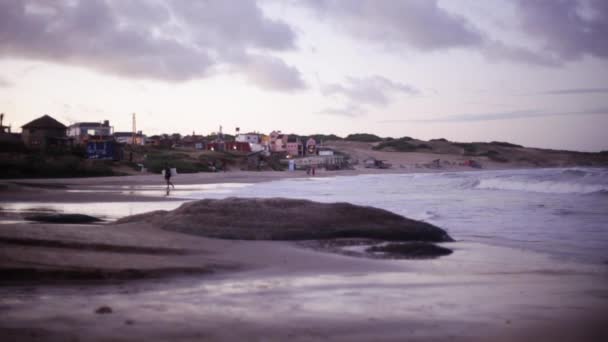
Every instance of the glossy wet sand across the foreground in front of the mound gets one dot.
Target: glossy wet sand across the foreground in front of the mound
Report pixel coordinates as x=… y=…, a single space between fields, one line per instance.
x=276 y=291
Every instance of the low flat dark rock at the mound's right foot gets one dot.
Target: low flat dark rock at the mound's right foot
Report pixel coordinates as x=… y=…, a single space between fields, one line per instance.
x=411 y=250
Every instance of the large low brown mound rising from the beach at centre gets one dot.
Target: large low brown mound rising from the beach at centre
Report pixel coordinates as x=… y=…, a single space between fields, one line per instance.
x=288 y=219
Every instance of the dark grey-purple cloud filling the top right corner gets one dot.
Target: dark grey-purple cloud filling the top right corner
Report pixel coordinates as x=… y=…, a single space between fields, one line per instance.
x=568 y=29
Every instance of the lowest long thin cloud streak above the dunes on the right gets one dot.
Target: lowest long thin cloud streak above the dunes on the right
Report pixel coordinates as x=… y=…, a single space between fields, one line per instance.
x=520 y=114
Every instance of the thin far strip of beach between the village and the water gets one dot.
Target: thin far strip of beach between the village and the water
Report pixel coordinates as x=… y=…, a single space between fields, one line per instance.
x=125 y=188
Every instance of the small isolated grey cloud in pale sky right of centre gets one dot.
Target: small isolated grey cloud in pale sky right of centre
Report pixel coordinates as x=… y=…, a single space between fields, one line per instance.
x=374 y=90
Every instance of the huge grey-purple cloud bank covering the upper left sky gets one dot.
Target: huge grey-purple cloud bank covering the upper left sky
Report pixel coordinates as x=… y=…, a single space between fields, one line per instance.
x=173 y=40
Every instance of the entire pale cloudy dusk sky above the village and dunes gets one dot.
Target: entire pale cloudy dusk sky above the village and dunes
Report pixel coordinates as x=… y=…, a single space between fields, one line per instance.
x=531 y=72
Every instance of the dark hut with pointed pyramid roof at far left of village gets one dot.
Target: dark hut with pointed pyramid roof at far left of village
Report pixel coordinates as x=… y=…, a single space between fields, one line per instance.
x=44 y=133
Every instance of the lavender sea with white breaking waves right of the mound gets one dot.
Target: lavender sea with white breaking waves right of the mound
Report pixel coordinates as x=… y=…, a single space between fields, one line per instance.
x=563 y=212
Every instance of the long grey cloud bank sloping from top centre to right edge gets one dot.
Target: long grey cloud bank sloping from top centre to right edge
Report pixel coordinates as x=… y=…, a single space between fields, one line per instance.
x=568 y=28
